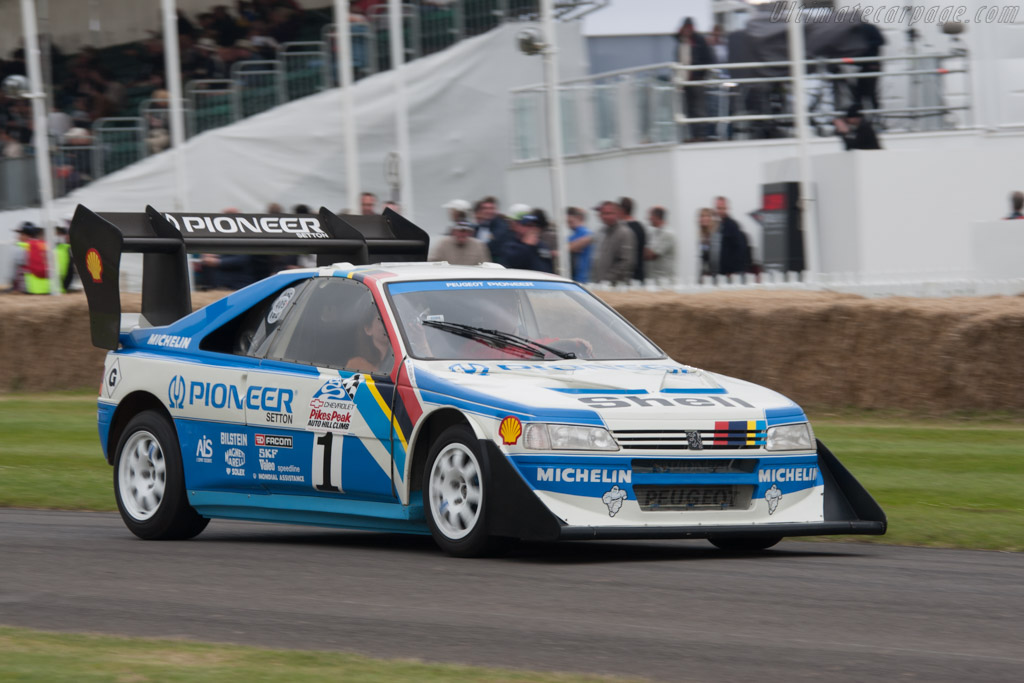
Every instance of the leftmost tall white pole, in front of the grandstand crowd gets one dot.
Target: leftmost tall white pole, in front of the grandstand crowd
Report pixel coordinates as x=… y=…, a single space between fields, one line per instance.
x=41 y=139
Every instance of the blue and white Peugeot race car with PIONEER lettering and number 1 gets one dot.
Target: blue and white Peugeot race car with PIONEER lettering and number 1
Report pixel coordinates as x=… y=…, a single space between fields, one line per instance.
x=474 y=404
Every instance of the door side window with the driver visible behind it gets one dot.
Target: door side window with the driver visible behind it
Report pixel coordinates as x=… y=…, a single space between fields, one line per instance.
x=335 y=325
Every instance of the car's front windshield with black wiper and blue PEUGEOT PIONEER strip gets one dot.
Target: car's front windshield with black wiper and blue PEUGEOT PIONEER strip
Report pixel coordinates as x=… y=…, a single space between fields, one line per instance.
x=503 y=320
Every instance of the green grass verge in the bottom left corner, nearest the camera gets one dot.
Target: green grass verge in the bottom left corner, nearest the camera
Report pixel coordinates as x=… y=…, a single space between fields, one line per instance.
x=34 y=656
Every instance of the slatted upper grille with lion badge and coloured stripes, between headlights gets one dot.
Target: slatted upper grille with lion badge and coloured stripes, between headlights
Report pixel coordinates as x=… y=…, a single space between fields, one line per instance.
x=723 y=437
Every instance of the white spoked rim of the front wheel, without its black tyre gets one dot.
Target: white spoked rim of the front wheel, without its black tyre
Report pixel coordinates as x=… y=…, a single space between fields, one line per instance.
x=456 y=491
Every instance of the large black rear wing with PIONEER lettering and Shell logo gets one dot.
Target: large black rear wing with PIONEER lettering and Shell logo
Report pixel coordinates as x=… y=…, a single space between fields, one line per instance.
x=165 y=240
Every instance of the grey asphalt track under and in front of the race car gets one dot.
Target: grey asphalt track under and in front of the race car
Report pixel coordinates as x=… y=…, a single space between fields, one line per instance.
x=666 y=611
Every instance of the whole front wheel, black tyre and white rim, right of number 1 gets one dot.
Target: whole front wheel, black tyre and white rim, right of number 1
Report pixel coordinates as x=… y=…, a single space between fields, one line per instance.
x=454 y=488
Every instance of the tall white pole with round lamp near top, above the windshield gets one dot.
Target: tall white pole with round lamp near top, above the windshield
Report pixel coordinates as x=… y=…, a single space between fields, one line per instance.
x=554 y=121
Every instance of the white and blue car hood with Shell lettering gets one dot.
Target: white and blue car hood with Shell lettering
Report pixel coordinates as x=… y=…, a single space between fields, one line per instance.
x=603 y=392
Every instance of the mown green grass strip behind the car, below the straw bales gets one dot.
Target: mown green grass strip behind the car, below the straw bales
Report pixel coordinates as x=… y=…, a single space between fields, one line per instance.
x=954 y=483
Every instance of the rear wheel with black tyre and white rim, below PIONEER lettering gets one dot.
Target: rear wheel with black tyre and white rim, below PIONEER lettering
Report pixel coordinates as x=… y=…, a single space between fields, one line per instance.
x=150 y=484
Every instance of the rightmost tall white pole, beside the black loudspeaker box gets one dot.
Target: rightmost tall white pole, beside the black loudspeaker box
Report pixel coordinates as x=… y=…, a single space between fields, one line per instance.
x=806 y=202
